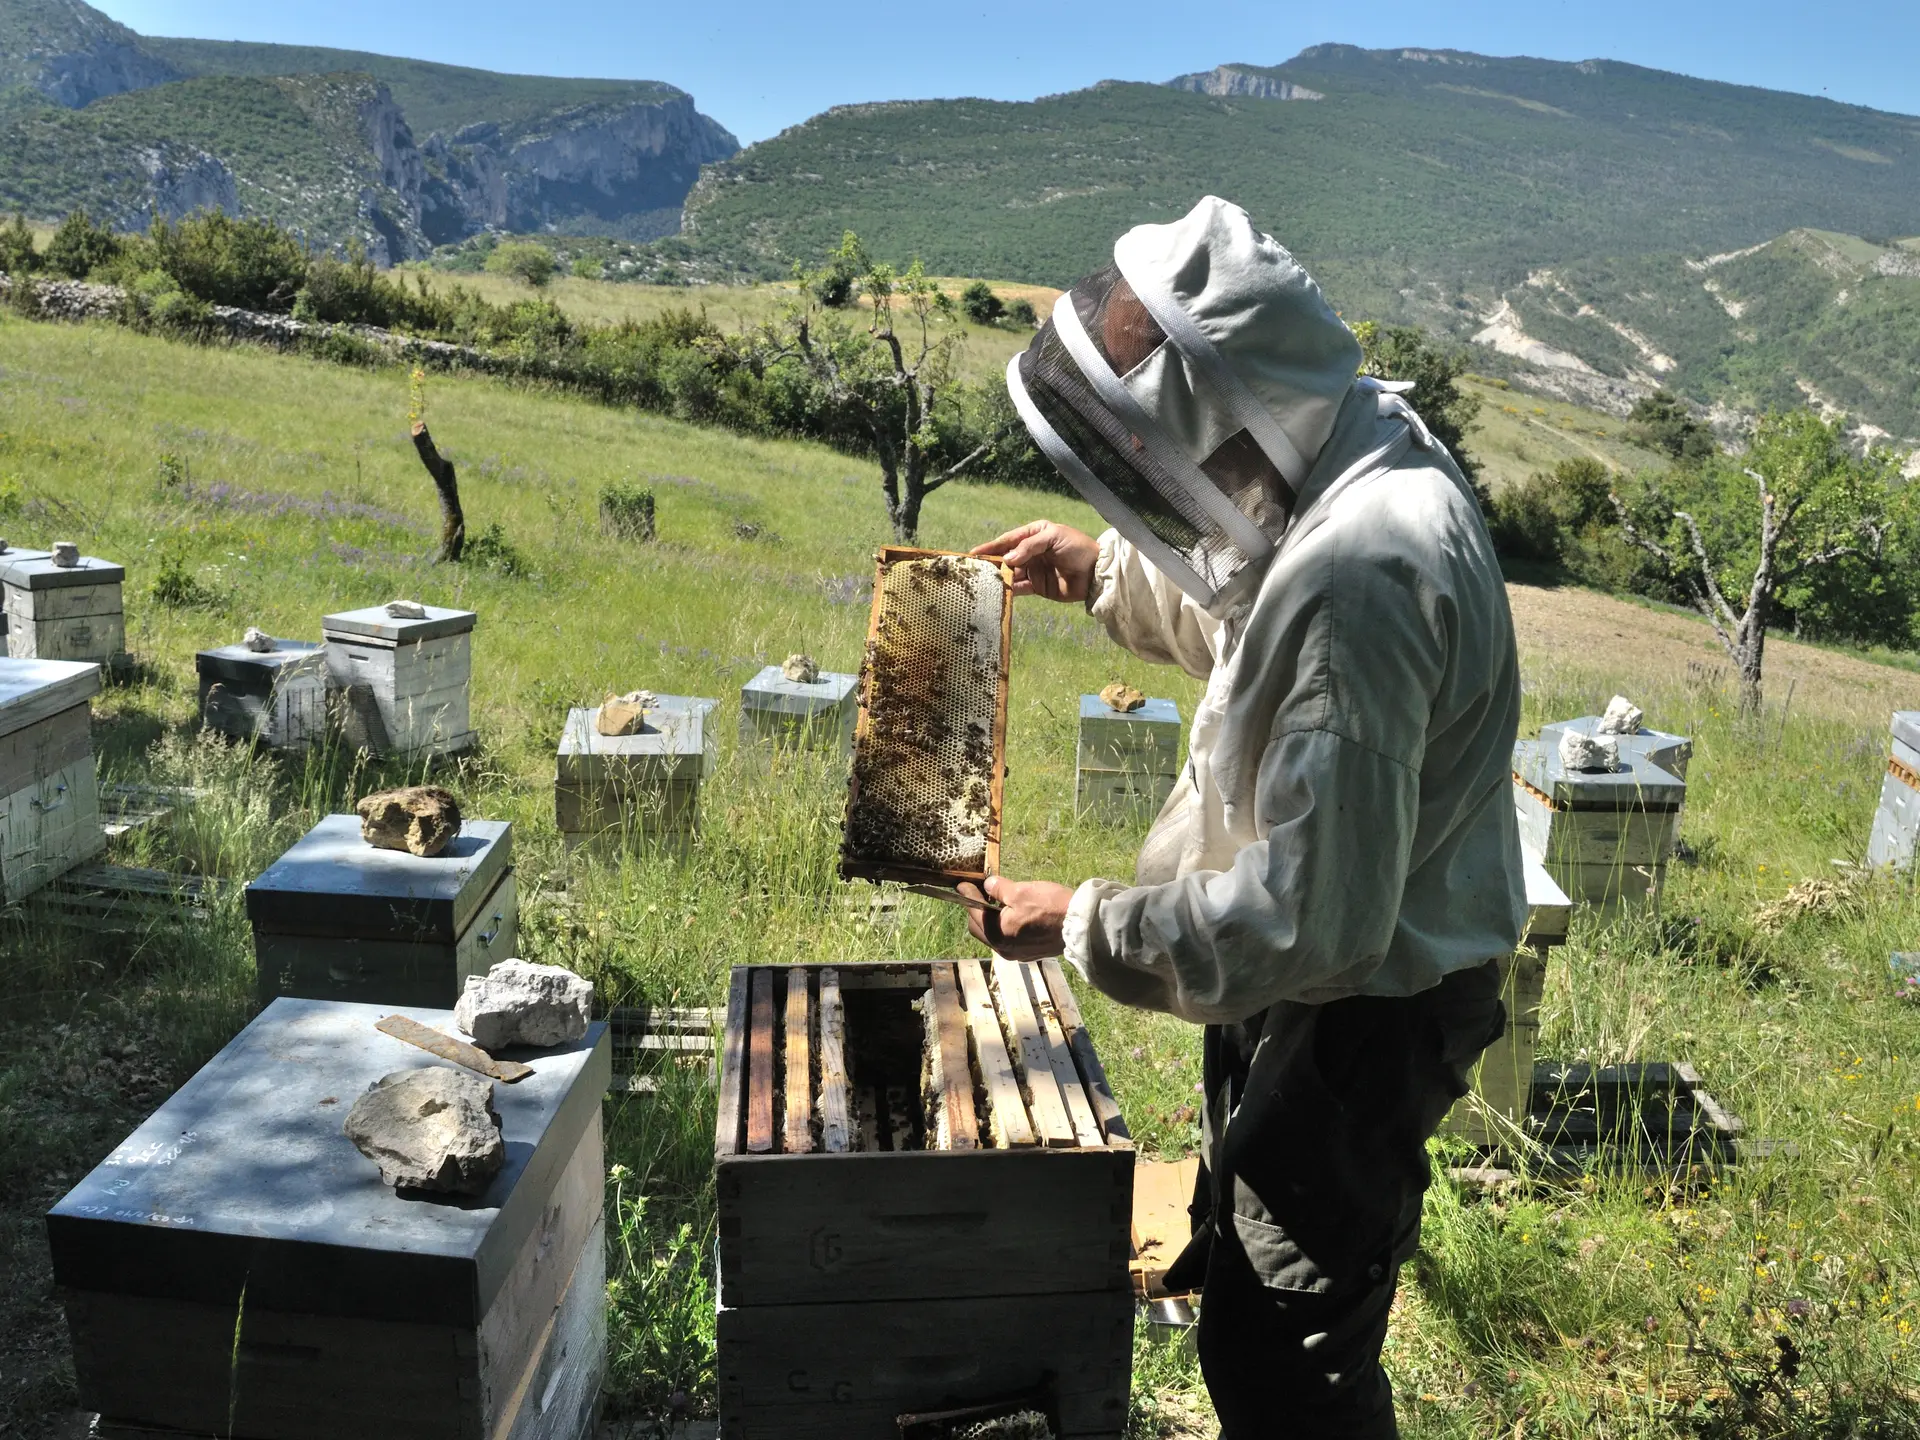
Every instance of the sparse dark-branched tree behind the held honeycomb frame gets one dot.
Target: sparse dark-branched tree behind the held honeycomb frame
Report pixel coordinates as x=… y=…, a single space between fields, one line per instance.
x=888 y=377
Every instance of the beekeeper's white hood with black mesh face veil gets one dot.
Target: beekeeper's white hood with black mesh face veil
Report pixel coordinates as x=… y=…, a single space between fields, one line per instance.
x=1186 y=393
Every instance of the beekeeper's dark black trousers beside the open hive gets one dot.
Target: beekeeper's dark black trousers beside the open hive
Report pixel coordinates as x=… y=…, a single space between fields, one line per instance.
x=1310 y=1199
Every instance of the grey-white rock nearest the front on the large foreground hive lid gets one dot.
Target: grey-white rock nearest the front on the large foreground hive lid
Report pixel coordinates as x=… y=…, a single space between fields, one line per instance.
x=431 y=1130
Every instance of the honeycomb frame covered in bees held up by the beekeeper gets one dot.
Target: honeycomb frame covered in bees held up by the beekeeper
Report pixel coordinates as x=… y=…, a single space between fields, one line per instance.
x=930 y=742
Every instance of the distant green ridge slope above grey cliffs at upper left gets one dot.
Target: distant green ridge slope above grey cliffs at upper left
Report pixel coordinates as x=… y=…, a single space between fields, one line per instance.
x=435 y=97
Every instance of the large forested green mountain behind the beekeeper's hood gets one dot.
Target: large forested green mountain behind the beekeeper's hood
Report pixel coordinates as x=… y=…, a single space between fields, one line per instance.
x=1456 y=176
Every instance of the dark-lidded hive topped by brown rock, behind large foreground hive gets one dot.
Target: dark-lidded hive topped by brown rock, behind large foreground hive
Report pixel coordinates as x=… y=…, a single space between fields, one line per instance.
x=337 y=919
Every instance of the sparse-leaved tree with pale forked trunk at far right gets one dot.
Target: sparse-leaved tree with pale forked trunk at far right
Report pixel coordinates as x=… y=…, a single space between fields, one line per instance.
x=1796 y=504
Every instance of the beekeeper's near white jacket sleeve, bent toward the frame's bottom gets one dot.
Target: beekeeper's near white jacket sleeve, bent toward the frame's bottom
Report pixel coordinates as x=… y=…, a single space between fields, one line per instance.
x=1349 y=675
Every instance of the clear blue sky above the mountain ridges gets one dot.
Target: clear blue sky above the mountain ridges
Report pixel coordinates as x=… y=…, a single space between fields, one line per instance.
x=759 y=66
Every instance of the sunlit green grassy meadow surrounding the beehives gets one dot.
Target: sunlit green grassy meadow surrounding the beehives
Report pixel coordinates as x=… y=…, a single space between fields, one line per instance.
x=1777 y=1299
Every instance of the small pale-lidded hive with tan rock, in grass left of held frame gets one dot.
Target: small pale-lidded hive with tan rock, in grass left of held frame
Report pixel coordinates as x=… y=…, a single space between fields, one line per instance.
x=610 y=790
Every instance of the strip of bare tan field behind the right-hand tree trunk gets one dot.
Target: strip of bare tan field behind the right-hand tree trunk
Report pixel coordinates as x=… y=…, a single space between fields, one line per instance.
x=1587 y=631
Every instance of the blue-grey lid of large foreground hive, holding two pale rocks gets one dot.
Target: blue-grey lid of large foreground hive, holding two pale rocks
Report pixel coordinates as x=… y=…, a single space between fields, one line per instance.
x=247 y=1178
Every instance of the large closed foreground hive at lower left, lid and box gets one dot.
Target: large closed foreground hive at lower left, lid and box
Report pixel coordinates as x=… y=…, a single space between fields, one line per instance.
x=237 y=1268
